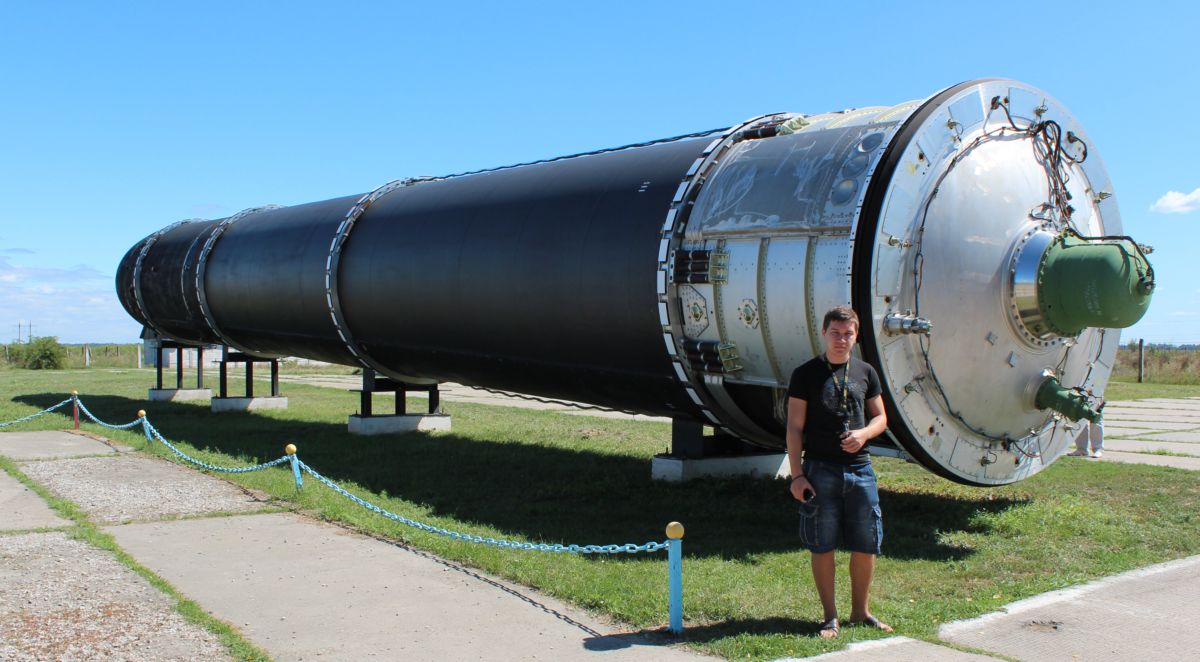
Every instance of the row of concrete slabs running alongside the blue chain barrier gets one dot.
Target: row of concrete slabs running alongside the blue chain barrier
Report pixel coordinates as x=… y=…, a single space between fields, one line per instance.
x=297 y=588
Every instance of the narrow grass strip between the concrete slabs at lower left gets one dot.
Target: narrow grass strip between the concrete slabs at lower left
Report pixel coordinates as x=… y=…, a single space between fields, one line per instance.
x=83 y=529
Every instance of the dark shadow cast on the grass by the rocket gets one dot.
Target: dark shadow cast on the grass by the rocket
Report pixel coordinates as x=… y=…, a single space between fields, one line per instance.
x=549 y=494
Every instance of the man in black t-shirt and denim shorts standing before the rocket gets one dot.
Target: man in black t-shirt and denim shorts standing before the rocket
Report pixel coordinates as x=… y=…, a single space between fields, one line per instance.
x=835 y=408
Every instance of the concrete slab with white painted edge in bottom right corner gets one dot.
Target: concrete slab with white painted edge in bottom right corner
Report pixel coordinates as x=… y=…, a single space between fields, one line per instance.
x=1147 y=615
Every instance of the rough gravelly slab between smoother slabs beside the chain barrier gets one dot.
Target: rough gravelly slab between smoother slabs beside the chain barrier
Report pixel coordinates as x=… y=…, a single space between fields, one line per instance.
x=128 y=488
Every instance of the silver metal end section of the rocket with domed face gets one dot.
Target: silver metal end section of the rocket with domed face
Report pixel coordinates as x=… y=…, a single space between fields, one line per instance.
x=919 y=215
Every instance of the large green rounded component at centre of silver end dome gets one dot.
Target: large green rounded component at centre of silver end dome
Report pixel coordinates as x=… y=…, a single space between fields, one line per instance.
x=1093 y=285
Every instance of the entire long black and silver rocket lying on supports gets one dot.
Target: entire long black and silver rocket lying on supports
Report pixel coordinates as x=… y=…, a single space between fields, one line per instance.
x=975 y=233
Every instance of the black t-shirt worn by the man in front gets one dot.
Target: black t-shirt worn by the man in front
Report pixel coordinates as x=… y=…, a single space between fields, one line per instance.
x=827 y=412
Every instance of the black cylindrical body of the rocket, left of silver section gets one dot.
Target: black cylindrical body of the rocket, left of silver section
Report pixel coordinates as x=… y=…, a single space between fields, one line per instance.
x=538 y=280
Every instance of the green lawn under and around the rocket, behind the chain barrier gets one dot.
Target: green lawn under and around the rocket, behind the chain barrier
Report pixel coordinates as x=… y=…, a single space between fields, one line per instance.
x=951 y=552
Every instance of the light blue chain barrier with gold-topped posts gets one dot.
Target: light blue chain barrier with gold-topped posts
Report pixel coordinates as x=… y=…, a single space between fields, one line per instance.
x=675 y=531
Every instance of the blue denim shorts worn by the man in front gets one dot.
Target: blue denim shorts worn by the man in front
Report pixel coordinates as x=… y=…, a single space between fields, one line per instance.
x=845 y=511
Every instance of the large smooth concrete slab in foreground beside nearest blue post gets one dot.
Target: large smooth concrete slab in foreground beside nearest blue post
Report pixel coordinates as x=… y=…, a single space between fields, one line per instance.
x=302 y=589
